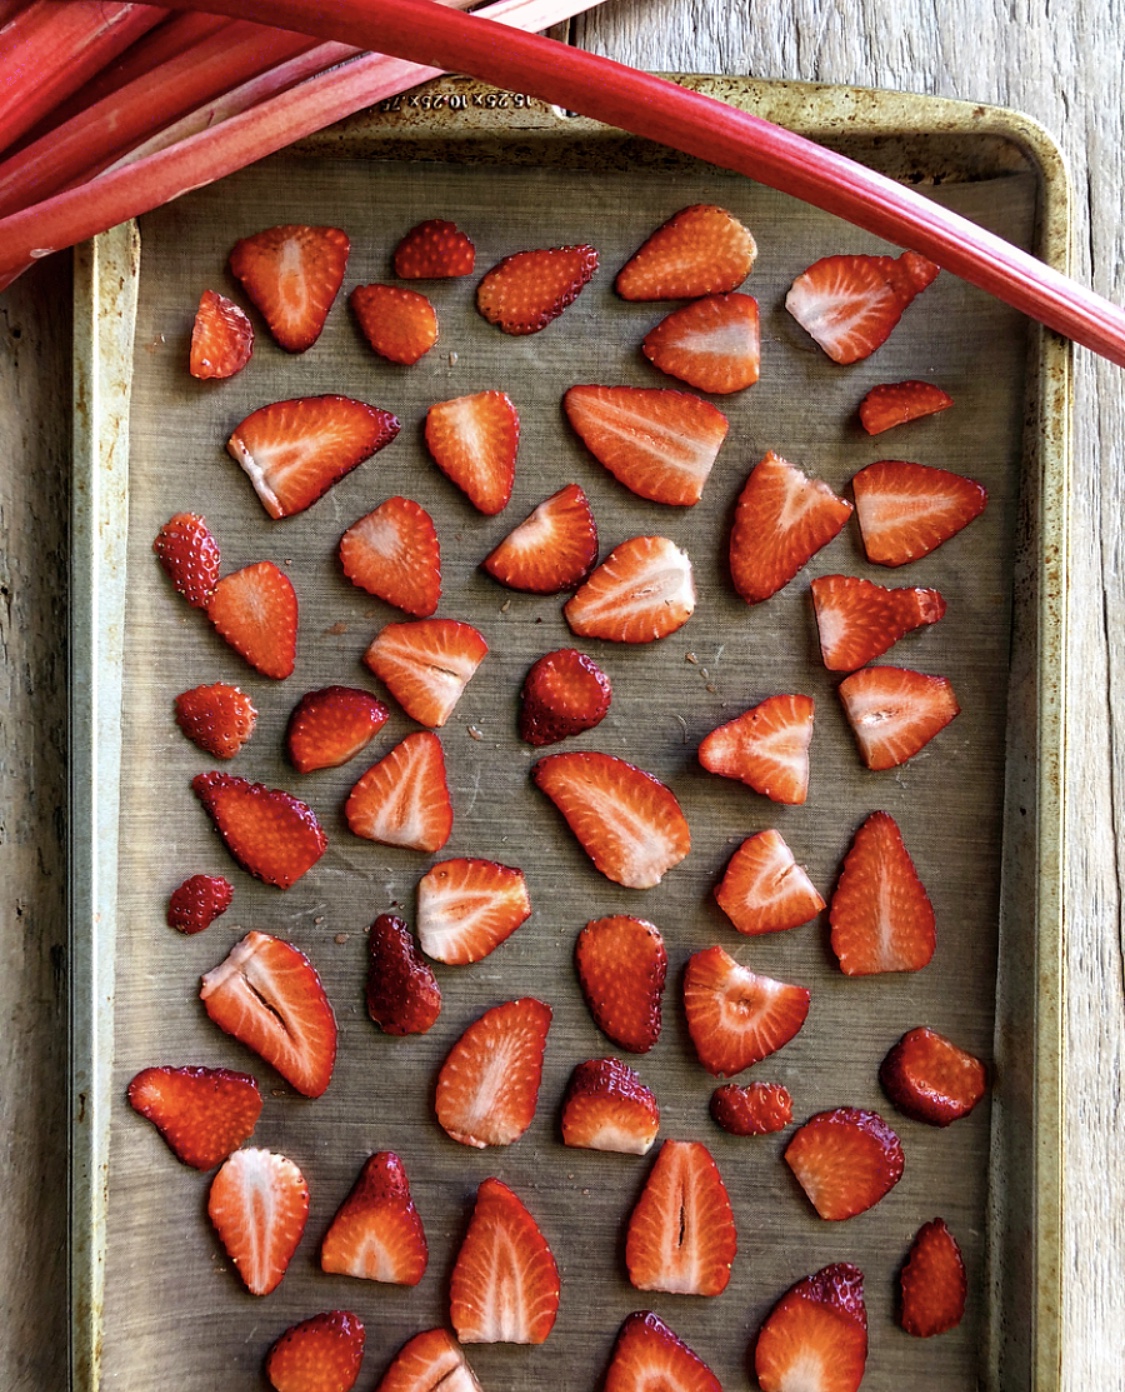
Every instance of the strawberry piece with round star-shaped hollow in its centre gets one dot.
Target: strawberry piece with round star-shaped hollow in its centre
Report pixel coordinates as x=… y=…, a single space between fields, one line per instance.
x=736 y=1017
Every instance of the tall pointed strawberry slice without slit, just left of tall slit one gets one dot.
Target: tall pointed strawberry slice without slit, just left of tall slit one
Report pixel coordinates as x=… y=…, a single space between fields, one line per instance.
x=505 y=1286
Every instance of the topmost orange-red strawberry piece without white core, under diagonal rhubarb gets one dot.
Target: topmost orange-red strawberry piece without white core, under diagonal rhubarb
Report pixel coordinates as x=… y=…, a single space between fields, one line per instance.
x=700 y=251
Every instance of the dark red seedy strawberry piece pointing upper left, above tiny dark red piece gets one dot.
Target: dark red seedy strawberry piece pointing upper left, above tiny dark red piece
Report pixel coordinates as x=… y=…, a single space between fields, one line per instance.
x=272 y=835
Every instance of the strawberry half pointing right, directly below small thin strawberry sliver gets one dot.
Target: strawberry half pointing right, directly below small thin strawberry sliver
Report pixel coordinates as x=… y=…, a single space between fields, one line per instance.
x=908 y=510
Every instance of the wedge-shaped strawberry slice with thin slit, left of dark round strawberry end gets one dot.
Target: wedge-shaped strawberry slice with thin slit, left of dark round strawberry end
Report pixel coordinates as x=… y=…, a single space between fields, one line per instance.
x=427 y=665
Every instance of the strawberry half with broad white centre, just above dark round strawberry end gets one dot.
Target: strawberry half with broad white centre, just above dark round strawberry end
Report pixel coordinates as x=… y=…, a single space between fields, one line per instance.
x=643 y=591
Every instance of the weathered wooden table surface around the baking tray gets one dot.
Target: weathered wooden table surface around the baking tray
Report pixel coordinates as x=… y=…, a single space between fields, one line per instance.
x=1062 y=63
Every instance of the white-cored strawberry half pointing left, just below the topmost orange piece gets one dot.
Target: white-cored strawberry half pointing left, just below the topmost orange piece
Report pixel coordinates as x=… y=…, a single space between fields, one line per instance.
x=714 y=345
